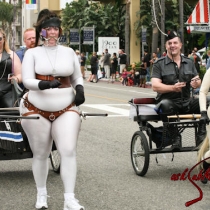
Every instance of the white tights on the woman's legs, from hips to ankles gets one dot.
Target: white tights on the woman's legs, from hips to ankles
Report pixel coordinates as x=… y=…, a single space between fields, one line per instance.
x=64 y=131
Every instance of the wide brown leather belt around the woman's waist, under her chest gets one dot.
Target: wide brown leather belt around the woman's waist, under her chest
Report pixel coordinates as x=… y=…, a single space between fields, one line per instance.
x=65 y=81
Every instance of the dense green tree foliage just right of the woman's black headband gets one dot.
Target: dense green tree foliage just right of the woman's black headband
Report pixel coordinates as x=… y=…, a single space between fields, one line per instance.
x=108 y=19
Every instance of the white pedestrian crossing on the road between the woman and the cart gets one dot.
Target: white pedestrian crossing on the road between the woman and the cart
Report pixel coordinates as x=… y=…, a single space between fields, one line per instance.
x=113 y=110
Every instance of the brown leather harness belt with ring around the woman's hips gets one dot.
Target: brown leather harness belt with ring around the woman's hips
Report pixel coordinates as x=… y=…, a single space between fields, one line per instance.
x=48 y=115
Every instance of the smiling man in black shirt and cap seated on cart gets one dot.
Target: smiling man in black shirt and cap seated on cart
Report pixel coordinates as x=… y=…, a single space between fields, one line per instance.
x=173 y=76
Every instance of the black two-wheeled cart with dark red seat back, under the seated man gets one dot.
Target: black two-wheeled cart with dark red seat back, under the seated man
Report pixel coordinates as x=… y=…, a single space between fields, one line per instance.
x=154 y=139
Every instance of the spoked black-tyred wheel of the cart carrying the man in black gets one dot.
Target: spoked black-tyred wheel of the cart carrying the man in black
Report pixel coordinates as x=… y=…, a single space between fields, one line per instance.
x=140 y=153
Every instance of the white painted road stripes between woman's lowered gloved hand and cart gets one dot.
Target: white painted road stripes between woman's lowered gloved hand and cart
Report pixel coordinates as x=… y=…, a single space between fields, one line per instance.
x=118 y=112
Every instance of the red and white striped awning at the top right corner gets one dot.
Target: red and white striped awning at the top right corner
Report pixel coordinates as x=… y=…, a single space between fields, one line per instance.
x=200 y=14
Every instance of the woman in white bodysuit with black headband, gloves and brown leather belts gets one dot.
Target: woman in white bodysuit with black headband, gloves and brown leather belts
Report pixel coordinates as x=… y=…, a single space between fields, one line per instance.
x=52 y=75
